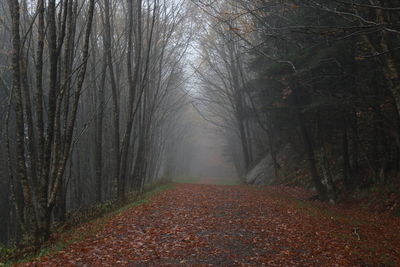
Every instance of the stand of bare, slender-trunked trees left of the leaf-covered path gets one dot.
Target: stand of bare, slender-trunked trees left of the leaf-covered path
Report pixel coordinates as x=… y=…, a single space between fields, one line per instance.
x=91 y=94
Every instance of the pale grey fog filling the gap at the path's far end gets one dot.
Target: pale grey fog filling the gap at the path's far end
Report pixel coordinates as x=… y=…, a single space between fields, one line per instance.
x=200 y=152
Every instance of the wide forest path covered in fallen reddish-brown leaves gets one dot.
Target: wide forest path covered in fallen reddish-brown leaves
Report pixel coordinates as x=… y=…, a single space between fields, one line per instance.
x=215 y=225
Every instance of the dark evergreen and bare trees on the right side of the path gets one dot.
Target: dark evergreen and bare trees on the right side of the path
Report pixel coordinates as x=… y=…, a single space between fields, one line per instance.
x=322 y=76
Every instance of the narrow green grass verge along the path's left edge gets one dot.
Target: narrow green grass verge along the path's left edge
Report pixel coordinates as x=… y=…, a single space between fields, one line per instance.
x=10 y=256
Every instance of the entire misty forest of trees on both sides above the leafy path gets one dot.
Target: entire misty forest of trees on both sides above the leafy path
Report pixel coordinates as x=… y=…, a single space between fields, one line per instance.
x=101 y=99
